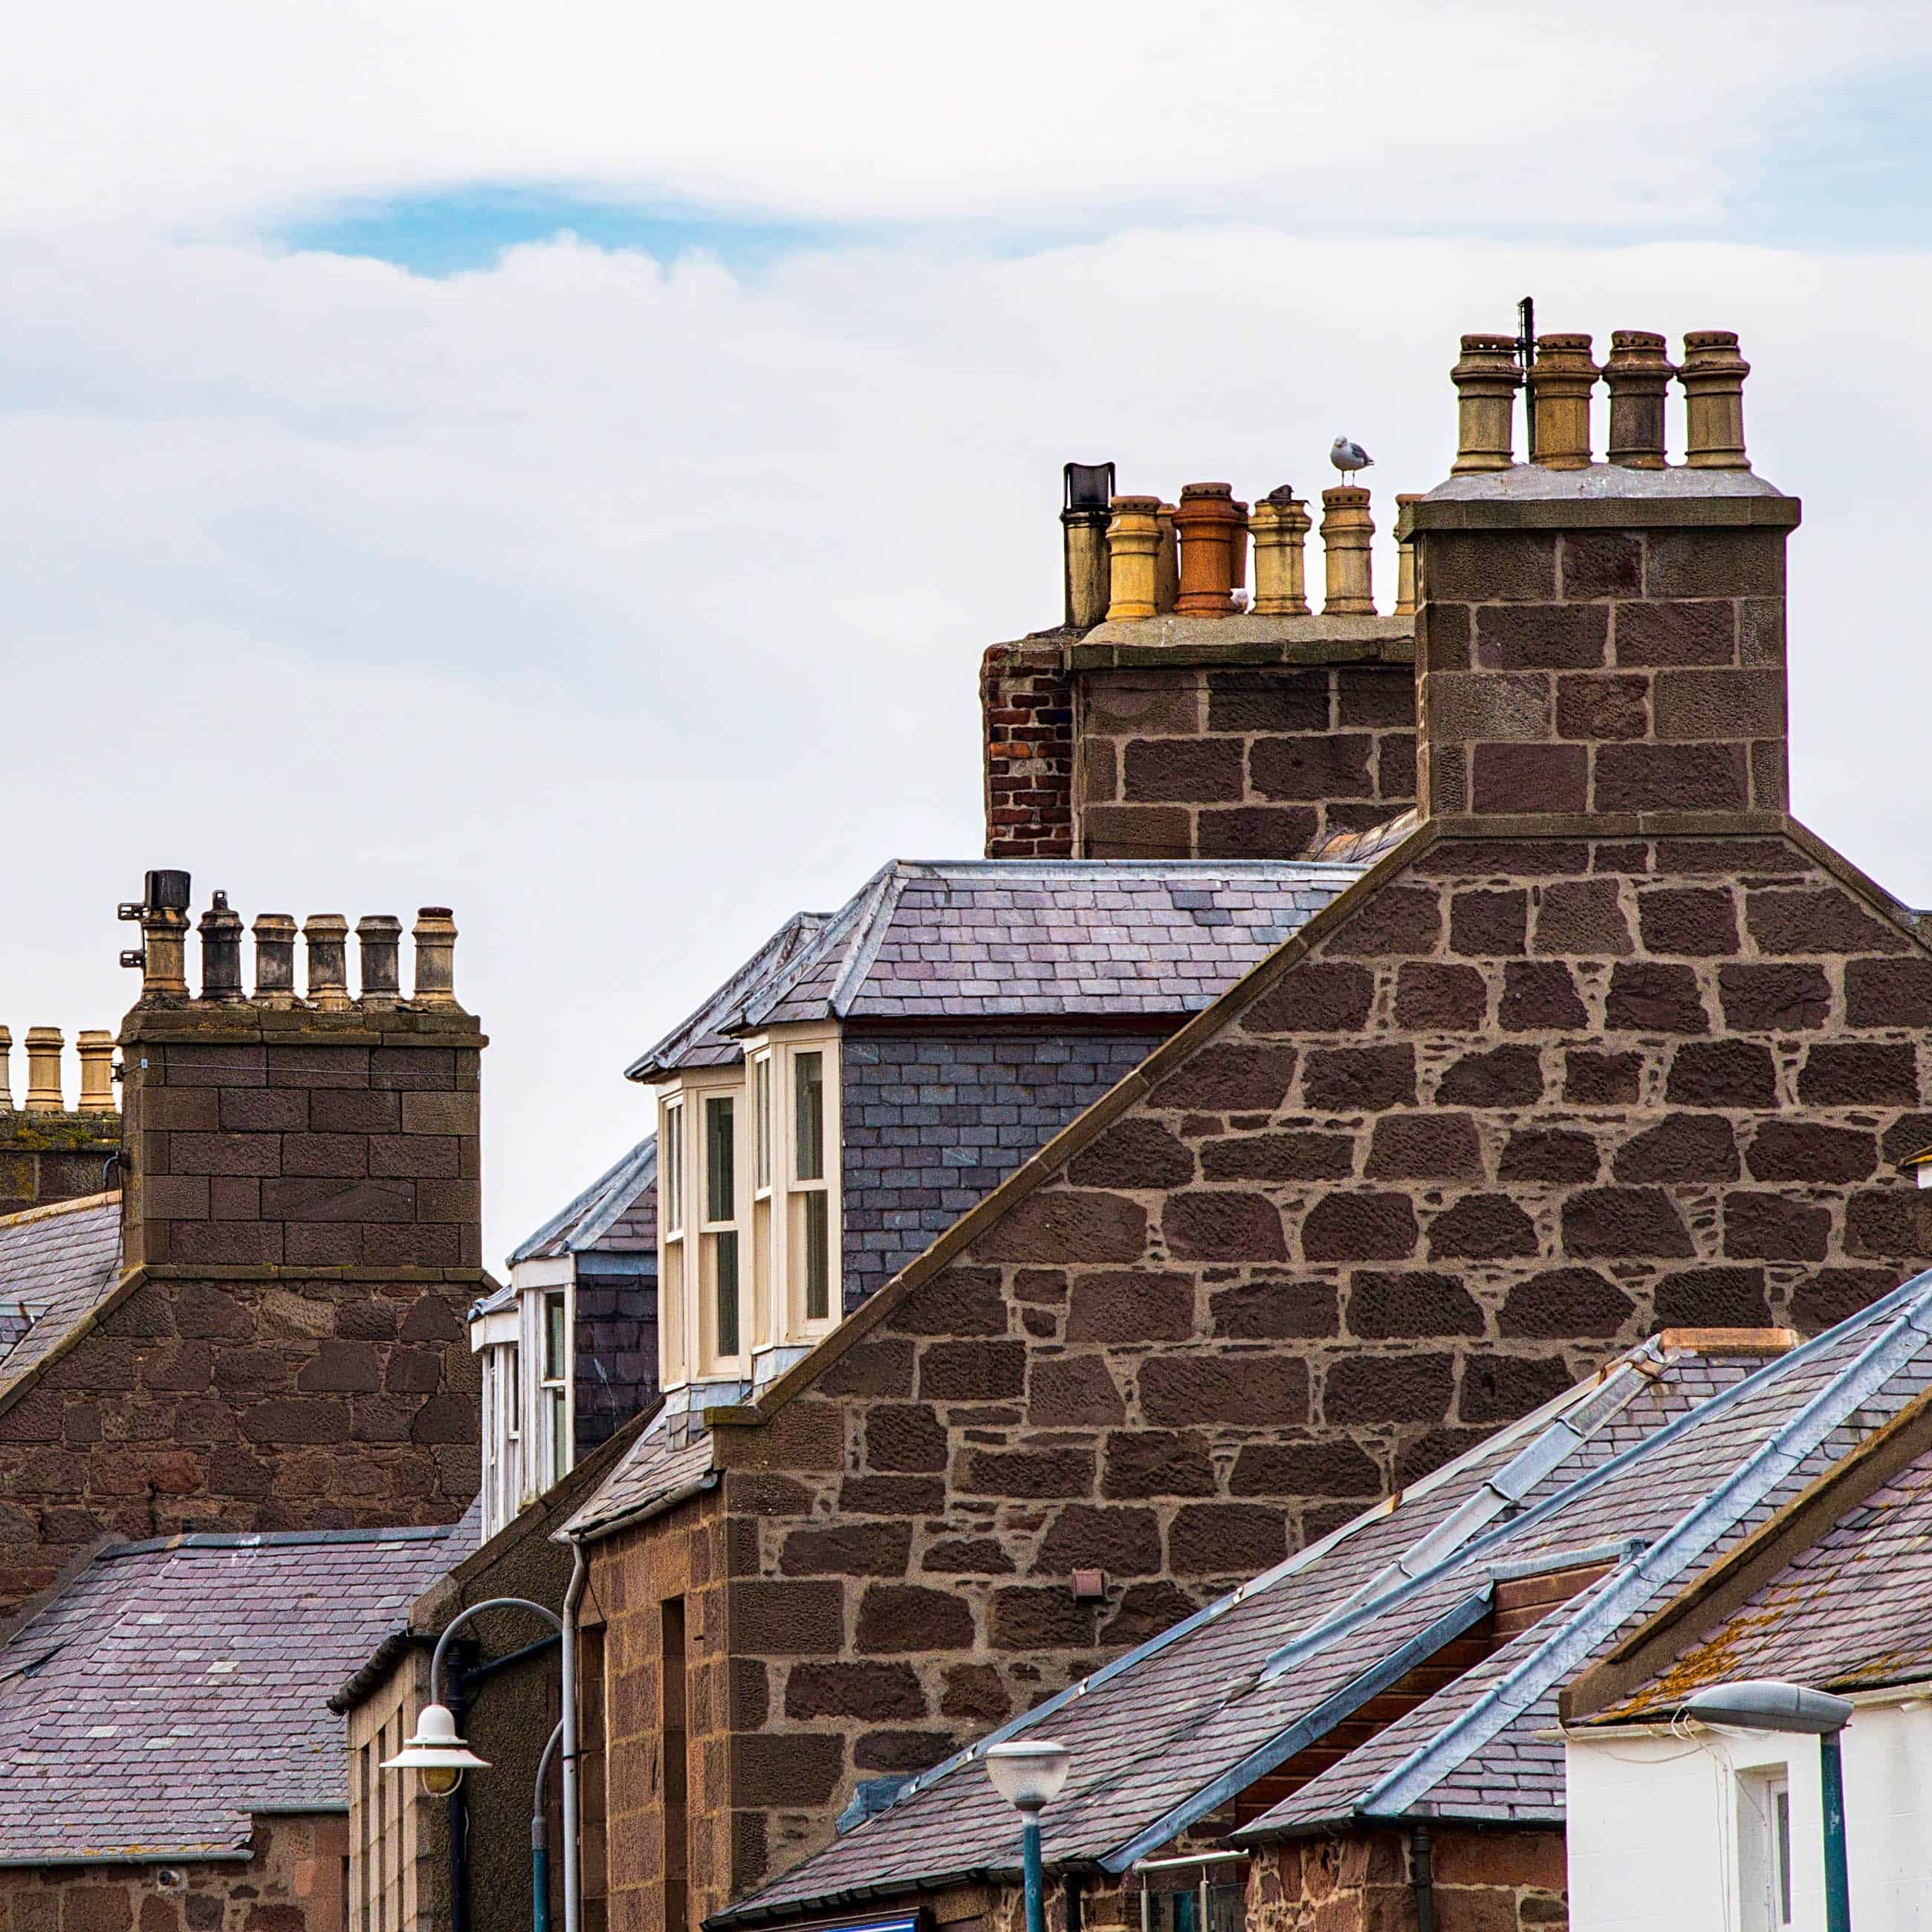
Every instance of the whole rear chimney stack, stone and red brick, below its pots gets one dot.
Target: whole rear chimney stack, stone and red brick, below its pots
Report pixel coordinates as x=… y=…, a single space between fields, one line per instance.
x=1230 y=739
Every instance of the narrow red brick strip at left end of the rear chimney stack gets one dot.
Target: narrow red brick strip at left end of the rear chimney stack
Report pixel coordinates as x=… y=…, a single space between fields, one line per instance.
x=1027 y=722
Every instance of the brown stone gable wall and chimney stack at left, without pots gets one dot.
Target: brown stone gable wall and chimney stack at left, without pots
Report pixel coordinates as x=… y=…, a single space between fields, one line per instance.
x=287 y=1344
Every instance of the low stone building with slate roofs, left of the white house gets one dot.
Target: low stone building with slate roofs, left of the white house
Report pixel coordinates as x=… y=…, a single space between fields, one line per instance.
x=1365 y=1736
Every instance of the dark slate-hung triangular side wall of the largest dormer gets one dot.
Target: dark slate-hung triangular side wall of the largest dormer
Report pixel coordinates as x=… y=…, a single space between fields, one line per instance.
x=932 y=1125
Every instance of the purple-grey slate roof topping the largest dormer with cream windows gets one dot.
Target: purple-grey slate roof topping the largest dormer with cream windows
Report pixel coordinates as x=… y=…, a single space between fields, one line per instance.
x=965 y=940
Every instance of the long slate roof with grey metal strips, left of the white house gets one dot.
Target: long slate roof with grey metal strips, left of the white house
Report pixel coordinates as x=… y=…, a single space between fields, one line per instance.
x=1649 y=1469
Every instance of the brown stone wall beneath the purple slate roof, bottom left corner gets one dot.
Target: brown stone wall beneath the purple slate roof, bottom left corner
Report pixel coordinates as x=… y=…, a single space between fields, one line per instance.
x=293 y=1883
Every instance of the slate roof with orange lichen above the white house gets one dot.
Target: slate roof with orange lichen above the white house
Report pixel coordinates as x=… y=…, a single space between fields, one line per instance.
x=1848 y=1614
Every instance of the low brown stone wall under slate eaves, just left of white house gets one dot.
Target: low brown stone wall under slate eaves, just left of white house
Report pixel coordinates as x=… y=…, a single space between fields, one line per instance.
x=1365 y=1883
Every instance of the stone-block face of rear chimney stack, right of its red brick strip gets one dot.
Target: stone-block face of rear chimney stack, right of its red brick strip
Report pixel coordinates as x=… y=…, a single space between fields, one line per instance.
x=1183 y=760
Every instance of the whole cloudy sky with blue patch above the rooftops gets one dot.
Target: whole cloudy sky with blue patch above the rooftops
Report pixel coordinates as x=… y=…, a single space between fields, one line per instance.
x=565 y=465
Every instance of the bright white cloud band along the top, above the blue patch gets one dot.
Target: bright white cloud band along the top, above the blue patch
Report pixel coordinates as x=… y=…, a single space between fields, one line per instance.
x=1436 y=119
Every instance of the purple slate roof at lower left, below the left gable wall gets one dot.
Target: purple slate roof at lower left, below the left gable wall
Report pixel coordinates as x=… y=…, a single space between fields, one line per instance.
x=175 y=1688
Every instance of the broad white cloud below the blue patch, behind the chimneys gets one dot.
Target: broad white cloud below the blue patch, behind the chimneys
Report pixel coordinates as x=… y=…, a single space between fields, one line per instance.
x=631 y=608
